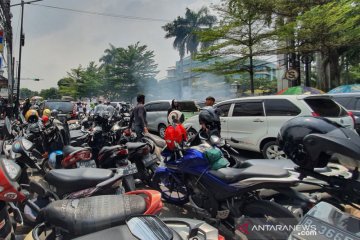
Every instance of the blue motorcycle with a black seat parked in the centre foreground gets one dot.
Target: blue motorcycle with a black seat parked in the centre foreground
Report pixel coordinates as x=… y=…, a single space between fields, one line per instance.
x=225 y=197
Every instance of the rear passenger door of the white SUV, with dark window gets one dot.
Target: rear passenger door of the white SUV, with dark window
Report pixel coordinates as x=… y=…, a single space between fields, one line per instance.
x=247 y=124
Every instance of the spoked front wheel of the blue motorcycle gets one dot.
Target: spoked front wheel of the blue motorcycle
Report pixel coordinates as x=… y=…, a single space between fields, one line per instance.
x=164 y=181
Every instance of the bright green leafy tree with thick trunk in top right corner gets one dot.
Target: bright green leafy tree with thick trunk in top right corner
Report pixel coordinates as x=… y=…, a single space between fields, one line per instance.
x=331 y=28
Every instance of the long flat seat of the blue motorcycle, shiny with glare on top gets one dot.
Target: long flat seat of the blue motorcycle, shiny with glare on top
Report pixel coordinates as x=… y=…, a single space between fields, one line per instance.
x=231 y=175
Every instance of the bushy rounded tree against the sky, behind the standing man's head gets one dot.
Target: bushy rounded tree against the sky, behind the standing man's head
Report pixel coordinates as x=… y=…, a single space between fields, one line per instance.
x=127 y=71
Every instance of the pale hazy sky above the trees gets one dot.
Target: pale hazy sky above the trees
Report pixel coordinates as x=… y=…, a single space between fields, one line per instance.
x=58 y=40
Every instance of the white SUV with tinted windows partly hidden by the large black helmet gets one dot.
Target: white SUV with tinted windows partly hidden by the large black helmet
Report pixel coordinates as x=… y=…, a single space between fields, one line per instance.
x=254 y=122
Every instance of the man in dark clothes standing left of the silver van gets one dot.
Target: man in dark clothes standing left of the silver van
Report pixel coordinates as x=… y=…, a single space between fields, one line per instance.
x=138 y=118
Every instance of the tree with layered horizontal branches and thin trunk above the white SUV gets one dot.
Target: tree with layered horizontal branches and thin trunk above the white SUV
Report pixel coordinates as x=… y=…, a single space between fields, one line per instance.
x=242 y=34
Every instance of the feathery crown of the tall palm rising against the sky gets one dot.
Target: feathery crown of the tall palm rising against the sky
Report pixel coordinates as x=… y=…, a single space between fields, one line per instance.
x=184 y=29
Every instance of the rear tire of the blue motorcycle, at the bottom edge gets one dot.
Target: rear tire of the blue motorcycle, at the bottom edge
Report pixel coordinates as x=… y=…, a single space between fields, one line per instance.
x=266 y=213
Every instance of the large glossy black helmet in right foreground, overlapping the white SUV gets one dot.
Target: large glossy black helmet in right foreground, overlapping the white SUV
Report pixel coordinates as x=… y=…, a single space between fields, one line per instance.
x=311 y=141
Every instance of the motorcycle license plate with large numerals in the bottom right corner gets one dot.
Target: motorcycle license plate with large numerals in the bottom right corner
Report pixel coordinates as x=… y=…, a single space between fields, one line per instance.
x=320 y=230
